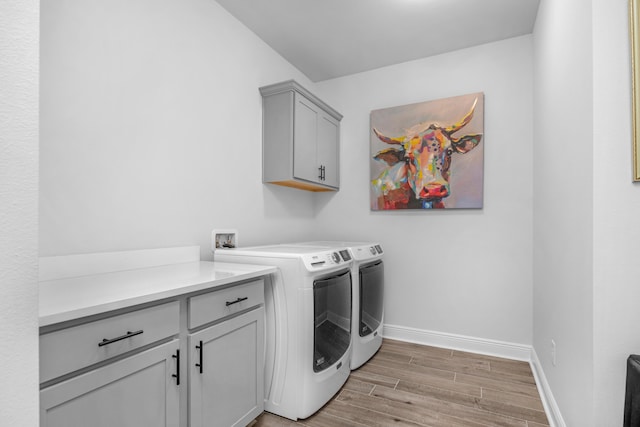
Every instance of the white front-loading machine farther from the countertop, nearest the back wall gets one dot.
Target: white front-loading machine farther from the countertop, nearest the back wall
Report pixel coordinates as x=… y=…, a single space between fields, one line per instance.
x=367 y=318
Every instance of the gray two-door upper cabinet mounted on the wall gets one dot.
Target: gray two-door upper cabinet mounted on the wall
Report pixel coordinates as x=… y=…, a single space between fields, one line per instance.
x=300 y=140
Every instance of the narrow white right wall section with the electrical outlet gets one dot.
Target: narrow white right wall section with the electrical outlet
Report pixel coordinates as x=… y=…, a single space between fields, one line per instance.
x=563 y=204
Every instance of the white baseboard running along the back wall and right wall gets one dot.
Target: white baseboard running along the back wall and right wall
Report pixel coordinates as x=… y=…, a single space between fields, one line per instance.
x=488 y=347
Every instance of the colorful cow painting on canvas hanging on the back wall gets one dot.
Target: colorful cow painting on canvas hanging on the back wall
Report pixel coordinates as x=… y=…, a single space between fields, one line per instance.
x=416 y=167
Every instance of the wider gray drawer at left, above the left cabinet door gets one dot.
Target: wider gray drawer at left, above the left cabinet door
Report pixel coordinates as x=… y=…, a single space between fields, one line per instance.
x=70 y=349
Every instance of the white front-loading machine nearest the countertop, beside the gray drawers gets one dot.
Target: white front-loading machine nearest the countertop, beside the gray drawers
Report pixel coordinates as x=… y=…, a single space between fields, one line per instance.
x=308 y=324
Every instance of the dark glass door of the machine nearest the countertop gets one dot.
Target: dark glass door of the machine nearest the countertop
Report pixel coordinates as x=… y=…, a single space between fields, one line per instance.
x=332 y=319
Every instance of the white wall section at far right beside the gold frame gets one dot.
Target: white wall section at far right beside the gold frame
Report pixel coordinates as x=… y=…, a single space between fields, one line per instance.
x=616 y=204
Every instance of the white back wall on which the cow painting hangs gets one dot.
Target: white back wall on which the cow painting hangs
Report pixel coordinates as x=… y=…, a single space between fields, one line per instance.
x=465 y=272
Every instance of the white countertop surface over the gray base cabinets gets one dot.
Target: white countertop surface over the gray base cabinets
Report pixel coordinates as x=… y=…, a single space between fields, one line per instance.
x=71 y=298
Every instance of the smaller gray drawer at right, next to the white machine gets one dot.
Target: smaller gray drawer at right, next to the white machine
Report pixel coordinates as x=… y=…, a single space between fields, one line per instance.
x=215 y=305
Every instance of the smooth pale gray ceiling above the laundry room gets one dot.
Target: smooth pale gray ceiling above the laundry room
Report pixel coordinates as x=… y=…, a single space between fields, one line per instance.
x=332 y=38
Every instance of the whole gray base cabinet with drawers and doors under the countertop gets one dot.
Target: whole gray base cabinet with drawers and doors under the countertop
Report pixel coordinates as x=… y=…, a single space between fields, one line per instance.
x=201 y=353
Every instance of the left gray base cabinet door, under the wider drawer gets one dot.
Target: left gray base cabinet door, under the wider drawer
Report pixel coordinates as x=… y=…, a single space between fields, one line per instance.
x=137 y=391
